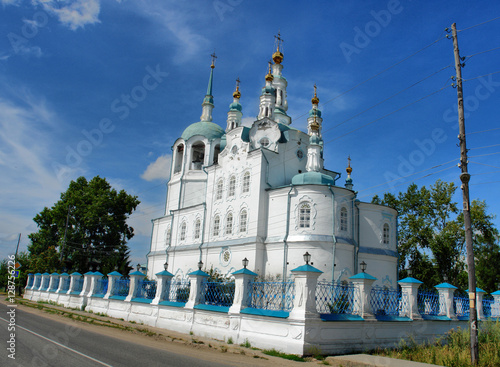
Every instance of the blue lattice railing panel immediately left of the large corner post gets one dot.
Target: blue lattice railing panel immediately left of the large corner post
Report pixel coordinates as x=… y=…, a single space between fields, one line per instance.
x=271 y=295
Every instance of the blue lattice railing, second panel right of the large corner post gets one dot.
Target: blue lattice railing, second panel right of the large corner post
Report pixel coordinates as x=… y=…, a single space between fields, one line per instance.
x=388 y=302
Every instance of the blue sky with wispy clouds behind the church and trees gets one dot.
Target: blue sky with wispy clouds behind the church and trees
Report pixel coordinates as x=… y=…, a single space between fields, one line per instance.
x=105 y=87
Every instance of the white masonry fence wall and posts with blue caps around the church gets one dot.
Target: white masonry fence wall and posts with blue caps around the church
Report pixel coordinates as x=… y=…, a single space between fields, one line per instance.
x=303 y=331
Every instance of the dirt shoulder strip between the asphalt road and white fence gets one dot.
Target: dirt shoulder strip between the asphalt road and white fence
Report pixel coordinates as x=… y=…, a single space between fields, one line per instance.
x=204 y=348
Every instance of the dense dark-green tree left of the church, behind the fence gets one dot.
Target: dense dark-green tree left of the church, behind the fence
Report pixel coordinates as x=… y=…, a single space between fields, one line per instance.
x=85 y=230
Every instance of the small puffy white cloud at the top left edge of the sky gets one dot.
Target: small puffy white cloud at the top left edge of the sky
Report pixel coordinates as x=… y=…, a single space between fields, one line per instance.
x=73 y=13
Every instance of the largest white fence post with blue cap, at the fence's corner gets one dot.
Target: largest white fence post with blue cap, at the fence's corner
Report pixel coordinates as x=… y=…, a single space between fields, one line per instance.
x=304 y=303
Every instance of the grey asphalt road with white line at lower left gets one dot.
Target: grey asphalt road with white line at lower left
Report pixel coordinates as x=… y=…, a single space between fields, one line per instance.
x=40 y=341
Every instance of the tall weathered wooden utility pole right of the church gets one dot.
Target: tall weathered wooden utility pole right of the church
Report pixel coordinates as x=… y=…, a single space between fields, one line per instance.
x=465 y=177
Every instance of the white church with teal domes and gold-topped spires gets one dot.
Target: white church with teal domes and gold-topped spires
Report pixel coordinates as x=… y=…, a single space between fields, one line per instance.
x=262 y=193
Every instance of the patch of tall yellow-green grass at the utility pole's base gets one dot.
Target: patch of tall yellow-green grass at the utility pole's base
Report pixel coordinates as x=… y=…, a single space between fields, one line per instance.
x=453 y=349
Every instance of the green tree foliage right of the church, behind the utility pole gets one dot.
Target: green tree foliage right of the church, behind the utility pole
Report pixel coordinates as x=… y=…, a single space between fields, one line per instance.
x=431 y=236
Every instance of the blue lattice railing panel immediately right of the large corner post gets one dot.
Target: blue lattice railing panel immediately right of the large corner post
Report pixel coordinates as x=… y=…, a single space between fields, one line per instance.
x=336 y=298
